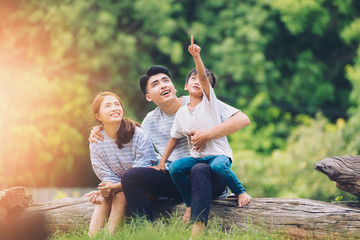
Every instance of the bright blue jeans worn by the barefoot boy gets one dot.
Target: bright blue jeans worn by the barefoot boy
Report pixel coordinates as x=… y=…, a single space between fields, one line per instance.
x=219 y=164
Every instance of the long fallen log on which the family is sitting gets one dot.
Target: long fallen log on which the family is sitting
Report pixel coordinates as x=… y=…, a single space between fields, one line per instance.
x=299 y=218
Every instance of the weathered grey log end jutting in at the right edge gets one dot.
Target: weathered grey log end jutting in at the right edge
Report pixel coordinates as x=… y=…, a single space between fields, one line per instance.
x=345 y=171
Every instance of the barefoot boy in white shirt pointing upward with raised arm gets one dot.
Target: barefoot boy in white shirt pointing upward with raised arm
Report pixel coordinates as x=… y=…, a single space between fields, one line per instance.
x=201 y=113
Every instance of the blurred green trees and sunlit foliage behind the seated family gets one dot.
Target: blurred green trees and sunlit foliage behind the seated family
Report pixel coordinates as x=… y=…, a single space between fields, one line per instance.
x=293 y=66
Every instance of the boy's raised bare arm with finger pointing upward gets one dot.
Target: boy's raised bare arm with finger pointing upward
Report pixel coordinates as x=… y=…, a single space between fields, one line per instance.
x=194 y=50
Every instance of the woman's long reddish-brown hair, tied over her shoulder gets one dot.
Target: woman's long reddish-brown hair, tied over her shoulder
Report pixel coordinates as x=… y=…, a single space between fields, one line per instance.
x=127 y=126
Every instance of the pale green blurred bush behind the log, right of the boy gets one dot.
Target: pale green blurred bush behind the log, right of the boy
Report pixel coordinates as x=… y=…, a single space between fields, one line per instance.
x=290 y=172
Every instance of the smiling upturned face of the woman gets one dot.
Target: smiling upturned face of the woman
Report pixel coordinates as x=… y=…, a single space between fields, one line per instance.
x=110 y=110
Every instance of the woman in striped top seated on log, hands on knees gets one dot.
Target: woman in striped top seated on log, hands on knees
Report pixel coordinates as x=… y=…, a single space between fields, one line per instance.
x=125 y=145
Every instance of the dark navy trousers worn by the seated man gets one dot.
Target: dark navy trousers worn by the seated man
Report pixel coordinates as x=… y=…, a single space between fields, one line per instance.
x=205 y=186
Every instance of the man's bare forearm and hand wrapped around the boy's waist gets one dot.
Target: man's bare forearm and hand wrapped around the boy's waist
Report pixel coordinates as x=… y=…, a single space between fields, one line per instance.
x=199 y=138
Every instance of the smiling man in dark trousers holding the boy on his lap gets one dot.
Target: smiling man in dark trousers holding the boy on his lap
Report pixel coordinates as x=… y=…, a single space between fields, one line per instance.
x=158 y=88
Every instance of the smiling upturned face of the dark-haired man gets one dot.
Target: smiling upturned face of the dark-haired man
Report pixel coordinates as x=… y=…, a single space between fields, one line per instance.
x=160 y=89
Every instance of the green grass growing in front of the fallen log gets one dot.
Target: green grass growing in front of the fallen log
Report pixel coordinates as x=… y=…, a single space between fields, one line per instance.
x=171 y=228
